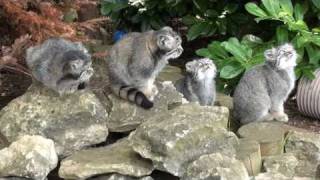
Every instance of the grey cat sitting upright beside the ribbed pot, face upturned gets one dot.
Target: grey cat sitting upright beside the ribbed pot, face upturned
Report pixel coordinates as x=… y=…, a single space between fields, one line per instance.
x=261 y=92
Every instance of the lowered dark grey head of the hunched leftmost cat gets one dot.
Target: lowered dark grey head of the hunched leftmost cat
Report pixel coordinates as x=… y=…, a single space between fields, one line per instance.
x=75 y=62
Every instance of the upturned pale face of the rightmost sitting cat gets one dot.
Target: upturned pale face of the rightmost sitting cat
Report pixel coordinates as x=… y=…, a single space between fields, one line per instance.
x=282 y=57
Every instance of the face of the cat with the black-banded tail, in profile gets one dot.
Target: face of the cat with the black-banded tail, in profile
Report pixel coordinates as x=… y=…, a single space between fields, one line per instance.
x=170 y=42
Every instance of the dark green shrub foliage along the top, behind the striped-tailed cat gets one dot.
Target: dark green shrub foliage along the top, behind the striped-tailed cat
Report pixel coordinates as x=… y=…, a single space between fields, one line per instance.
x=202 y=17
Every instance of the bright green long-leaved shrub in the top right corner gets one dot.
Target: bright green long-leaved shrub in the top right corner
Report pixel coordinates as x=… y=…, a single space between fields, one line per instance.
x=294 y=29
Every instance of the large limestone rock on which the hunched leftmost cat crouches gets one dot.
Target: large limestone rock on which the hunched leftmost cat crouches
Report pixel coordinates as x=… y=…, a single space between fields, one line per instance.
x=71 y=121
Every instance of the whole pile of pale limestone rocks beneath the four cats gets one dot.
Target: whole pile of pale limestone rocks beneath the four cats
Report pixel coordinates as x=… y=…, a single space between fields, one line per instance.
x=188 y=141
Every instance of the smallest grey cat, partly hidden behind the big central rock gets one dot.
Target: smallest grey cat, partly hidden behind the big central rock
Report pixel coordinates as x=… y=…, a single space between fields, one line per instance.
x=199 y=83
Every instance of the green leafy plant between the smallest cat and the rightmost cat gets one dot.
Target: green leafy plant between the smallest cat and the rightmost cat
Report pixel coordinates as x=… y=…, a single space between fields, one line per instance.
x=234 y=57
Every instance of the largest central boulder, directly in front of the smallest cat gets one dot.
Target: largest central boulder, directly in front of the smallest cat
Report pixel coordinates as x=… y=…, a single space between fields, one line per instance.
x=174 y=139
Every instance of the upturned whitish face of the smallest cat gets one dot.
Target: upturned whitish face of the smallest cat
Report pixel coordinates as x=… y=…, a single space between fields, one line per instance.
x=202 y=68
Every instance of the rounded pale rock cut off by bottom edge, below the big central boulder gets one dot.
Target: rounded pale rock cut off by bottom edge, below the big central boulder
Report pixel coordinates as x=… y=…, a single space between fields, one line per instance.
x=216 y=166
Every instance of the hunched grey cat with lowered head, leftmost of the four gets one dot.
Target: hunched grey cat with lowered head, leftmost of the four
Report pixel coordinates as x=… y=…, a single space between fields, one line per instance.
x=61 y=65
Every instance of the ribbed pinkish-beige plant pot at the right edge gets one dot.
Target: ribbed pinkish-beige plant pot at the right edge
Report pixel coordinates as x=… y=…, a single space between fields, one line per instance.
x=308 y=96
